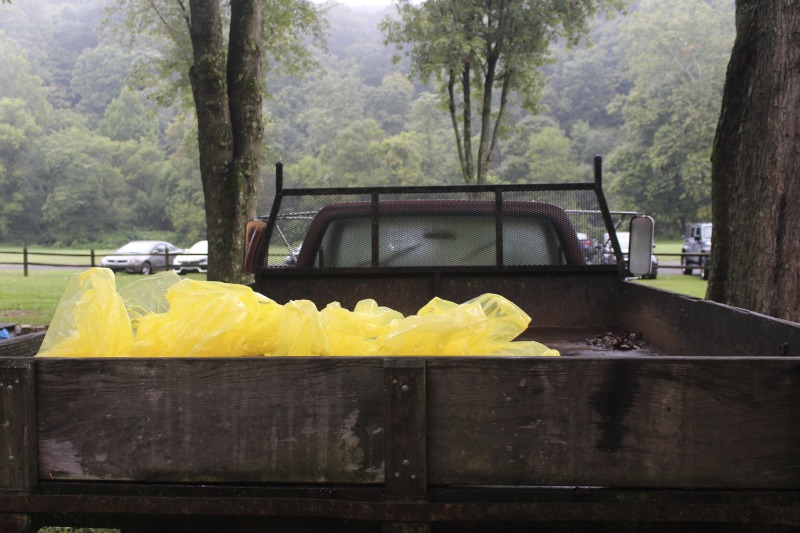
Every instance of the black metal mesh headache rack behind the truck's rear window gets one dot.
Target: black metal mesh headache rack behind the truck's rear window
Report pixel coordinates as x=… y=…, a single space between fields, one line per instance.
x=471 y=228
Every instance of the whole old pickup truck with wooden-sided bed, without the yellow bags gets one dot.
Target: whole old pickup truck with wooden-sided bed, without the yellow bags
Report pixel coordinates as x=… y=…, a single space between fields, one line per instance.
x=688 y=424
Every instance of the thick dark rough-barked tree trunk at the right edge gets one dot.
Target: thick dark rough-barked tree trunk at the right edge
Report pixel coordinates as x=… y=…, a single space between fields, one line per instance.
x=755 y=165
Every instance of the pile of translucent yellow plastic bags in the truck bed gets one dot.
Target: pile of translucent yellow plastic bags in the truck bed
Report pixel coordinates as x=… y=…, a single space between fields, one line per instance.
x=164 y=315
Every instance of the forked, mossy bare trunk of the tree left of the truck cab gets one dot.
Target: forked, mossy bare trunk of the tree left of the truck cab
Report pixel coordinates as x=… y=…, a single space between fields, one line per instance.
x=227 y=95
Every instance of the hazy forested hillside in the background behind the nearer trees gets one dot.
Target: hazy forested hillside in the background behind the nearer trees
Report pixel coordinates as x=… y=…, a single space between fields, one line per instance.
x=89 y=154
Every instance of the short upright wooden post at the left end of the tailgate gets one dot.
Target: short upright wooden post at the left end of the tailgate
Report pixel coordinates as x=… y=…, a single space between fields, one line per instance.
x=17 y=424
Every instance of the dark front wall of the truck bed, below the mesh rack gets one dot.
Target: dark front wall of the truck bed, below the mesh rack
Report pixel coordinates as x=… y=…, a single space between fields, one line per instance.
x=551 y=298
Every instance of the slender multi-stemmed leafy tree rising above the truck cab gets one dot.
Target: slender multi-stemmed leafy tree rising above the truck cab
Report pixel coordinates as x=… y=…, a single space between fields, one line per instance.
x=480 y=54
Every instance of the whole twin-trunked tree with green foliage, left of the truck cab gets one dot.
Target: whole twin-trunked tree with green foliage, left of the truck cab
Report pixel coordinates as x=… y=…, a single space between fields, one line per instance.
x=214 y=56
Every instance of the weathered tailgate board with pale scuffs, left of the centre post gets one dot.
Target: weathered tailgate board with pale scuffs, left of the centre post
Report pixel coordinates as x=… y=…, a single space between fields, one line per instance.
x=298 y=420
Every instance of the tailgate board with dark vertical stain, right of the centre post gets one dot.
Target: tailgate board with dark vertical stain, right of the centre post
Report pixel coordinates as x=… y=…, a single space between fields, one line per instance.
x=616 y=422
